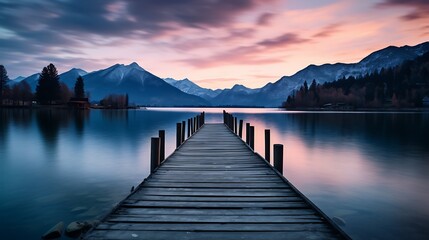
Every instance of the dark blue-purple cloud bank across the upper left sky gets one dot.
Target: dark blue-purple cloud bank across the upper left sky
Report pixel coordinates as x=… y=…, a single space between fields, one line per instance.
x=41 y=27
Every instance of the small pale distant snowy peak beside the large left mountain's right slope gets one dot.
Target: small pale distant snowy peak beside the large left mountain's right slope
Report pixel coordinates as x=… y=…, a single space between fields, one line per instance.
x=187 y=86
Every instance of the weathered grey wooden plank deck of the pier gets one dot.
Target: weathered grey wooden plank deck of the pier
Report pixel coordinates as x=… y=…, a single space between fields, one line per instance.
x=215 y=187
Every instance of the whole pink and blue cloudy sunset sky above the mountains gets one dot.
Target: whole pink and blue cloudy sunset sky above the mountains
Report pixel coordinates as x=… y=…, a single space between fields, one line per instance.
x=215 y=43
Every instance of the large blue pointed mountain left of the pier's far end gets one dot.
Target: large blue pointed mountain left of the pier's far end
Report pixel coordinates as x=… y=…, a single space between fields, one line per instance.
x=141 y=86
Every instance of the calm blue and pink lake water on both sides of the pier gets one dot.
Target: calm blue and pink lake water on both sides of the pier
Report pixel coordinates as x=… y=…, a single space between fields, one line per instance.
x=370 y=169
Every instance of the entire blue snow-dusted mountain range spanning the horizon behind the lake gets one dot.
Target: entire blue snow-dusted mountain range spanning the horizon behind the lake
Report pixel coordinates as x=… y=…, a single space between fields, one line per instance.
x=145 y=88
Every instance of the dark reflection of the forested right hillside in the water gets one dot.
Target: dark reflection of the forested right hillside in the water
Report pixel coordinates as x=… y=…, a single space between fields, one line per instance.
x=386 y=132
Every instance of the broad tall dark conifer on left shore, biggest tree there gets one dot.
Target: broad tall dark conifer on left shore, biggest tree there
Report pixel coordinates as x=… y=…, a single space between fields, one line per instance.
x=48 y=89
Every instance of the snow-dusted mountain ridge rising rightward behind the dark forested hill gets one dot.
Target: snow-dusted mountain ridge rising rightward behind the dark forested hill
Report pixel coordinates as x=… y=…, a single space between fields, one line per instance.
x=273 y=94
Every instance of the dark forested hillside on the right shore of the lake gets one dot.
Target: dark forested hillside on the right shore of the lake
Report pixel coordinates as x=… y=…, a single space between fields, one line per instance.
x=401 y=86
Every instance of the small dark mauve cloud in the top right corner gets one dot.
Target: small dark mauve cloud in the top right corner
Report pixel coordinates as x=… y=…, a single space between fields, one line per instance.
x=420 y=8
